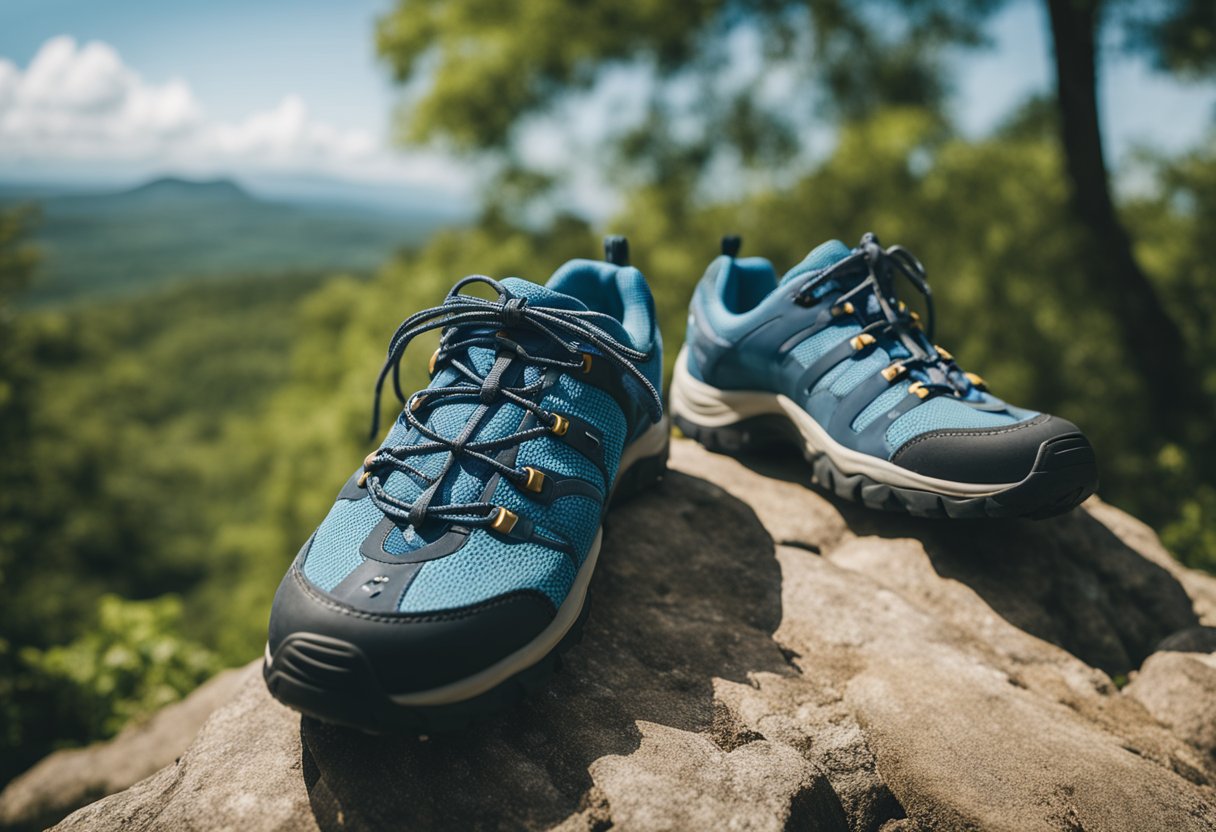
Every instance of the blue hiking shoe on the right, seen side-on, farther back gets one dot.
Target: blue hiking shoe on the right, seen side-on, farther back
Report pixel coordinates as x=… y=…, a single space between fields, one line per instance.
x=831 y=359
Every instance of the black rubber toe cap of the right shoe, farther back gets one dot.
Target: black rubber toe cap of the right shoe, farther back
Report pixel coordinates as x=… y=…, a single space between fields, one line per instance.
x=997 y=456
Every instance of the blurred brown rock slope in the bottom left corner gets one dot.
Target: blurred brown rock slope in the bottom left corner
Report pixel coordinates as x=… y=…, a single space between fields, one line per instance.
x=67 y=780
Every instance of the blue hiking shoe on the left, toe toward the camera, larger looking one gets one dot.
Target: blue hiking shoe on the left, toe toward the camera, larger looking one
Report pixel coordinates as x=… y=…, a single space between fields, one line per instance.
x=454 y=567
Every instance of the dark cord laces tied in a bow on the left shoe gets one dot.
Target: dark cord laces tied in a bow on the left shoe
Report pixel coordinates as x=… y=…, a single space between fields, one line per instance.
x=470 y=322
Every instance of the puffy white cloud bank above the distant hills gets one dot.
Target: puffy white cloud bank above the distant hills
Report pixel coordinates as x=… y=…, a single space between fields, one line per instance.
x=81 y=104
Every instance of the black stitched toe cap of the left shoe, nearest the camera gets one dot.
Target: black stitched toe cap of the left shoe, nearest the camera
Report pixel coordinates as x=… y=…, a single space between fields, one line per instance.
x=404 y=653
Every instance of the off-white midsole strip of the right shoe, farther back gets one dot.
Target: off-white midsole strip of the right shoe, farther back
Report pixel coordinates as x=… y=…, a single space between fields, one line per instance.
x=708 y=407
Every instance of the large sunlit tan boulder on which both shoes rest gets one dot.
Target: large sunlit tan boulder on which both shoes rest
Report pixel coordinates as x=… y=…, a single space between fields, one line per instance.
x=763 y=657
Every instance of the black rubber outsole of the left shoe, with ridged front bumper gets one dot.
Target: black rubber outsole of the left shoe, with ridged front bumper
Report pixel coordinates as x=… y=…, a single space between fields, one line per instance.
x=333 y=681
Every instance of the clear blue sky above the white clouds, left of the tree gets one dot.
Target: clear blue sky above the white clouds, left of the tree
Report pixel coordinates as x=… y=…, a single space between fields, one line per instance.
x=239 y=57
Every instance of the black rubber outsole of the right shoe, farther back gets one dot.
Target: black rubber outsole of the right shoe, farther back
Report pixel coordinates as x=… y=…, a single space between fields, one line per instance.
x=1065 y=474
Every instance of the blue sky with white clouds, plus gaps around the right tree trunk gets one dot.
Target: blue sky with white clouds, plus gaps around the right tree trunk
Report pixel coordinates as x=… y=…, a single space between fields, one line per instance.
x=291 y=89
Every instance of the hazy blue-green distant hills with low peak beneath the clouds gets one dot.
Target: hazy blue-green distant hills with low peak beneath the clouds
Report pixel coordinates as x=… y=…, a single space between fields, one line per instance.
x=109 y=243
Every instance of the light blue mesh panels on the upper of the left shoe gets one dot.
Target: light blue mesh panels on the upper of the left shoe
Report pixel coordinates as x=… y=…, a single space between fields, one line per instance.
x=488 y=566
